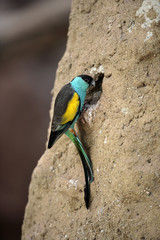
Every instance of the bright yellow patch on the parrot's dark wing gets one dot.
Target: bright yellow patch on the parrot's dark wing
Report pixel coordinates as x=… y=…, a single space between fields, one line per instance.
x=71 y=110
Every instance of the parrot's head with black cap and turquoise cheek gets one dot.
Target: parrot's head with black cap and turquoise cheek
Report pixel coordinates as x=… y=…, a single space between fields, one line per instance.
x=83 y=82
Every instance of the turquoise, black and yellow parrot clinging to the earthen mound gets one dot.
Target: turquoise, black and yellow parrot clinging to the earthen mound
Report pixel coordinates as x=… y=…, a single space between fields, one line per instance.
x=68 y=107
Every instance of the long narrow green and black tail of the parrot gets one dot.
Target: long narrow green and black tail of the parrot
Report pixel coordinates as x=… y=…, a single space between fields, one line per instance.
x=87 y=165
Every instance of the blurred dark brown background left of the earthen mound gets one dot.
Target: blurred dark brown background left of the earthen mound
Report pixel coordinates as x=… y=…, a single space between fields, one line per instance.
x=33 y=35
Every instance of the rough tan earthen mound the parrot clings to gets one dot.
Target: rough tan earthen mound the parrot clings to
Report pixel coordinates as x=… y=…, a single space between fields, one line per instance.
x=121 y=131
